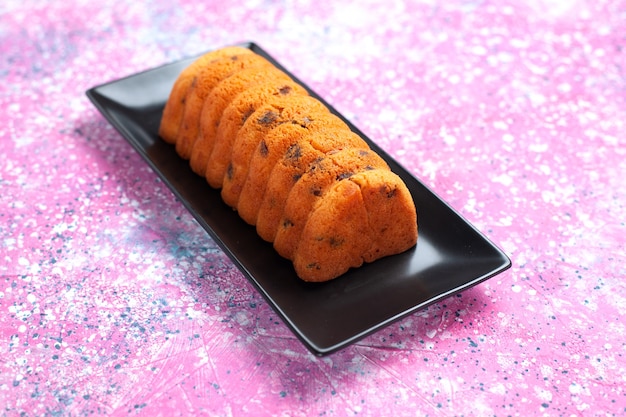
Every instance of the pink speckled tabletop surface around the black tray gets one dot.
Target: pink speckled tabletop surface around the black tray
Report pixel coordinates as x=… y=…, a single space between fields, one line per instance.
x=114 y=301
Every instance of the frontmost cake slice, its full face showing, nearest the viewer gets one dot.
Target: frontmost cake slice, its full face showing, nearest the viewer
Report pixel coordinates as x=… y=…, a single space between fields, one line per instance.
x=359 y=219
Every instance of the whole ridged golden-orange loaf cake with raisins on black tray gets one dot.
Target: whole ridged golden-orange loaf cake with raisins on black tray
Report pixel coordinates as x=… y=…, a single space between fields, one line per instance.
x=287 y=165
